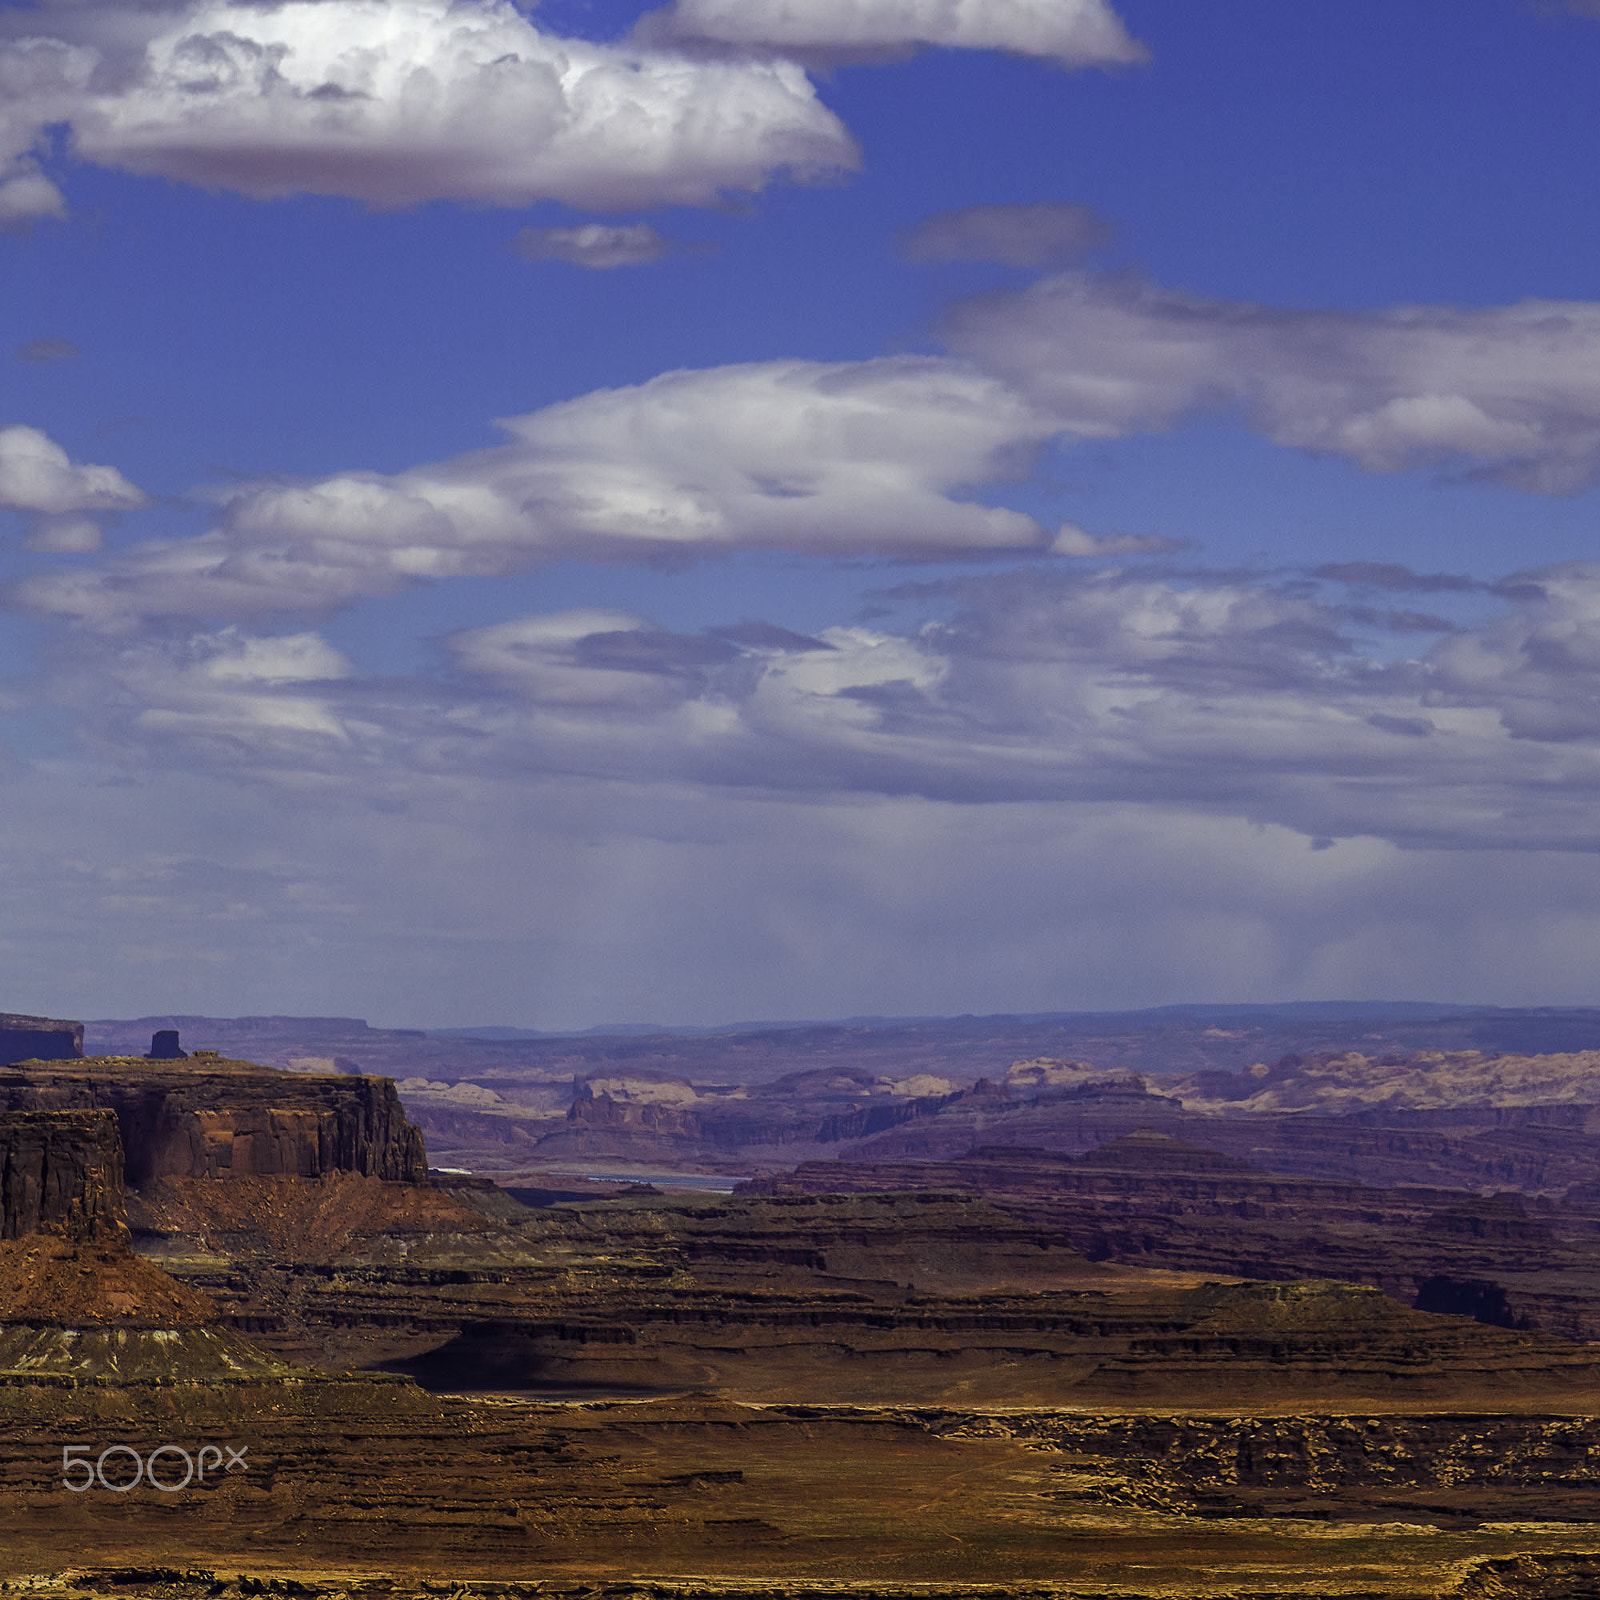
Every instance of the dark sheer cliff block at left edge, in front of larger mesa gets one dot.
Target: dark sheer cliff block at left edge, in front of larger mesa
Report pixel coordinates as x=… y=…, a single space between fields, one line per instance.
x=62 y=1175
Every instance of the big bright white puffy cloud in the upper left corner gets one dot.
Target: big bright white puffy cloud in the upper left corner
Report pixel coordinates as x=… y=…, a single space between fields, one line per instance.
x=396 y=103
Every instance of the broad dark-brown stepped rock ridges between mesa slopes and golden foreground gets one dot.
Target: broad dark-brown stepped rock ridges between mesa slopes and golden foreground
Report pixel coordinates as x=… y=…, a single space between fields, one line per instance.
x=911 y=1297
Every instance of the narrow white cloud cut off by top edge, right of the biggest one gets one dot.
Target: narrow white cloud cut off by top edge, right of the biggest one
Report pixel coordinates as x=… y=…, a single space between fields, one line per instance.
x=1070 y=33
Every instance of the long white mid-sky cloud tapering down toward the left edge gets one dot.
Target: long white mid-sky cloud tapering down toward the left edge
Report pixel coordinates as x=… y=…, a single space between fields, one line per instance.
x=868 y=458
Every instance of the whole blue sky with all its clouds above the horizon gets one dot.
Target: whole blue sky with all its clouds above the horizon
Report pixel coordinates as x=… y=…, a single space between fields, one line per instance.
x=1006 y=505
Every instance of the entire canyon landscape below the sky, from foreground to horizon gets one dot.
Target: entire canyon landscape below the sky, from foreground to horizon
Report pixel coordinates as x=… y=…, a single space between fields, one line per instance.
x=878 y=1327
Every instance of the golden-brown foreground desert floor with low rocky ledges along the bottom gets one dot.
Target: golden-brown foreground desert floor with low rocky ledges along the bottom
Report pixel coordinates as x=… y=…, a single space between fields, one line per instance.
x=390 y=1495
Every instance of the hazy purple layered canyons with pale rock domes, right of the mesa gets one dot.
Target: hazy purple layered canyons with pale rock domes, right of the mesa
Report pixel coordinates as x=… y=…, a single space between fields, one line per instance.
x=654 y=1122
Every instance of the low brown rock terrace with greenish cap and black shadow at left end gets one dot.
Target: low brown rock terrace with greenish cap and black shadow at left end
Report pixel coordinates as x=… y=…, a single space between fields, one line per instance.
x=1222 y=1346
